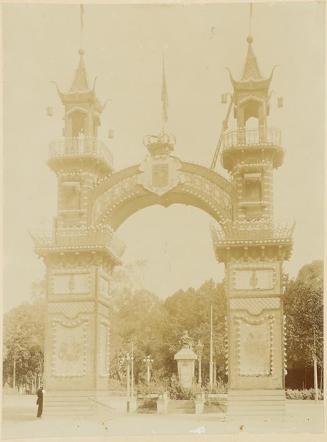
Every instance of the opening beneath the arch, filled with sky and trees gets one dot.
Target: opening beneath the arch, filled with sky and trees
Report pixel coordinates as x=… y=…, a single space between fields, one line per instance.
x=179 y=268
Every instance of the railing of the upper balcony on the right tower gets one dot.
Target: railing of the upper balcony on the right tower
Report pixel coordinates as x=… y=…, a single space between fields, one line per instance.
x=252 y=137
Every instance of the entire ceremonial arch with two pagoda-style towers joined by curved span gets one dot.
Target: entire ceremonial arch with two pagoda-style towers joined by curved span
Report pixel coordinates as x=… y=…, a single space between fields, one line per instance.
x=93 y=201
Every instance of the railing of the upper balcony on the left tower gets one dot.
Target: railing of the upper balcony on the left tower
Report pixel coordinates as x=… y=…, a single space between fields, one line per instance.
x=80 y=146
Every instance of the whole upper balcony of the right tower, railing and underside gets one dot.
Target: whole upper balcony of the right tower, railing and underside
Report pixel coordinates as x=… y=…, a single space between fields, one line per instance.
x=243 y=144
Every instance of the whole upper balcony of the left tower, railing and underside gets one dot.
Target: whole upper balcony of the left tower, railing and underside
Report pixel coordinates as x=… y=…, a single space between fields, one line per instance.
x=78 y=149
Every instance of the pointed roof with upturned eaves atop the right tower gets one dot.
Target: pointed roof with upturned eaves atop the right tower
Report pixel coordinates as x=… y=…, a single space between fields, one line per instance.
x=251 y=77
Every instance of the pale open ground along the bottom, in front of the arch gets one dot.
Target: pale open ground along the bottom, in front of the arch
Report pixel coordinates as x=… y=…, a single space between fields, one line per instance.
x=19 y=421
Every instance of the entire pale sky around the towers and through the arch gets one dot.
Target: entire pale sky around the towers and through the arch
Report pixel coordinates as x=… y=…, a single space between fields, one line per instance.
x=123 y=46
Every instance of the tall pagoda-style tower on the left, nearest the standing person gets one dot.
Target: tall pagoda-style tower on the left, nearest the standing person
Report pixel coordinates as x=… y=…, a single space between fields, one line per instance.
x=78 y=259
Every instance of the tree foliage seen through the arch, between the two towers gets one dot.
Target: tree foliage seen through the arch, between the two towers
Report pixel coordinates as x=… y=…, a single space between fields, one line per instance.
x=155 y=326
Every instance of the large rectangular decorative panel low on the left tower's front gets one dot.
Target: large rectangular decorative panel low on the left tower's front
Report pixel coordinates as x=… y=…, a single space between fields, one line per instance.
x=69 y=348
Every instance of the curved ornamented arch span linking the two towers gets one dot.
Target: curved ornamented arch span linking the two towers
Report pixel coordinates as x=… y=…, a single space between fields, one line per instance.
x=123 y=193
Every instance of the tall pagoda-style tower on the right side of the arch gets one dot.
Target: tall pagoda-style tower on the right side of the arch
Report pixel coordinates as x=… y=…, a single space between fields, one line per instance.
x=253 y=251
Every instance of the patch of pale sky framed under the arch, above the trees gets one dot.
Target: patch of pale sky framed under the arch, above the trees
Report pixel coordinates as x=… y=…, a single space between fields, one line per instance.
x=177 y=245
